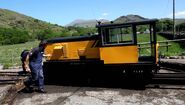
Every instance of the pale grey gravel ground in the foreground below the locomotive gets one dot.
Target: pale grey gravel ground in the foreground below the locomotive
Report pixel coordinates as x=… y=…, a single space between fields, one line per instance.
x=64 y=95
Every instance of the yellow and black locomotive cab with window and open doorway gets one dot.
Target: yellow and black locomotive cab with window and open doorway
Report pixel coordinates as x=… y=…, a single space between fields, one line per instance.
x=123 y=44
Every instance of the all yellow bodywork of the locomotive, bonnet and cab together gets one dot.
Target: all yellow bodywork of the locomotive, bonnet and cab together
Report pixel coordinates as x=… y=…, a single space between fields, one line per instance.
x=110 y=55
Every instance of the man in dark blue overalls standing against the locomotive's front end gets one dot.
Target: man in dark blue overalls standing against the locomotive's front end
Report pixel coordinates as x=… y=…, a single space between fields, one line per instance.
x=35 y=64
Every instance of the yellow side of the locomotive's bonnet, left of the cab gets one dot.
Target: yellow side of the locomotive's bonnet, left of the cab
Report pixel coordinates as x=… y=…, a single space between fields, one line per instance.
x=71 y=50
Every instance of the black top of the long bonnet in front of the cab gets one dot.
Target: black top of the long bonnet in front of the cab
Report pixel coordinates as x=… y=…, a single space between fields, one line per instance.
x=73 y=38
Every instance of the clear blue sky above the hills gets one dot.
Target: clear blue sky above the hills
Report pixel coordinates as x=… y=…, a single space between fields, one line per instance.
x=63 y=12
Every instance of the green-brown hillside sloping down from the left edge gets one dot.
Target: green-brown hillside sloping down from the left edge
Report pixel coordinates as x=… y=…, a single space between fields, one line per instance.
x=11 y=19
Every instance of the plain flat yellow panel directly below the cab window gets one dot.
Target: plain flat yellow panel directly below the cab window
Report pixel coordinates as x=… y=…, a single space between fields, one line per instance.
x=119 y=54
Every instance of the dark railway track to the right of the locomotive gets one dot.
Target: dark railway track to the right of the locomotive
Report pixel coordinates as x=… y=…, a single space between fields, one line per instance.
x=175 y=72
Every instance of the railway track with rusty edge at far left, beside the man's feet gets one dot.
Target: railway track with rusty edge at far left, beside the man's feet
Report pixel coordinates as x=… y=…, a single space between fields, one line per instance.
x=16 y=81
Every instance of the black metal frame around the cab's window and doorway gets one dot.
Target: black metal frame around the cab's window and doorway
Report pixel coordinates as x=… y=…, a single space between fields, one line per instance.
x=133 y=25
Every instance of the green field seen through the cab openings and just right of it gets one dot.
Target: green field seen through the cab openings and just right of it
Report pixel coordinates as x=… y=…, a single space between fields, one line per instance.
x=172 y=50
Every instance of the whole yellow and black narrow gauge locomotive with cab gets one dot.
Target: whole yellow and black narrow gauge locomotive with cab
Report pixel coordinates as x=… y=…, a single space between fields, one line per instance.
x=112 y=53
